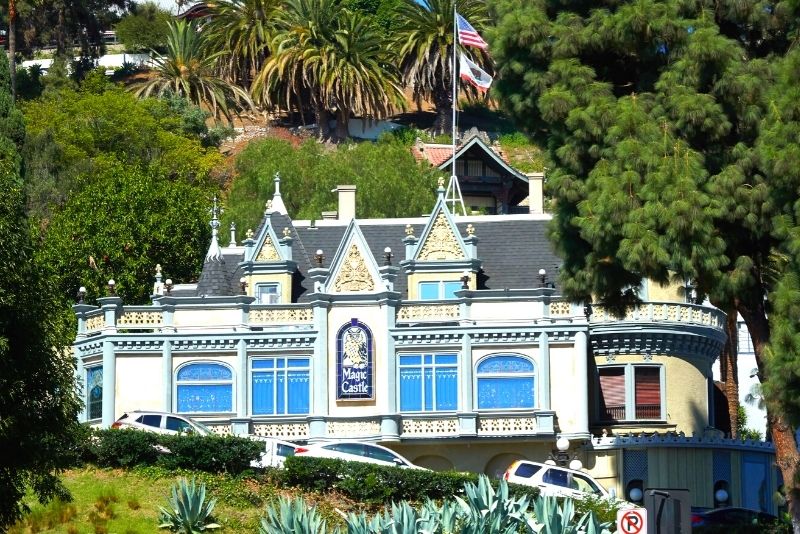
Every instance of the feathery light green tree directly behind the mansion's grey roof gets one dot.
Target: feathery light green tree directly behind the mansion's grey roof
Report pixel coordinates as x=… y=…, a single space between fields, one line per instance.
x=389 y=180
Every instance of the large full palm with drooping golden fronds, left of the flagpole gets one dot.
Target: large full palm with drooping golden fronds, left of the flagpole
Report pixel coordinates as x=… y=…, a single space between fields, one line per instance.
x=333 y=59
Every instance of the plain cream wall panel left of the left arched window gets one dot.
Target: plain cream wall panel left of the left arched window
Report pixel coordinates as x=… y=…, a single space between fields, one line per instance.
x=139 y=384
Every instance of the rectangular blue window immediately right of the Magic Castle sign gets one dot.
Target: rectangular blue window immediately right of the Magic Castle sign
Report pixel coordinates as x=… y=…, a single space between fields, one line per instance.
x=428 y=382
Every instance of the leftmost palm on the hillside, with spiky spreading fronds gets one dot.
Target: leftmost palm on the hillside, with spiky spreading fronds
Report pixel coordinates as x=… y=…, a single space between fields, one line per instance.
x=187 y=69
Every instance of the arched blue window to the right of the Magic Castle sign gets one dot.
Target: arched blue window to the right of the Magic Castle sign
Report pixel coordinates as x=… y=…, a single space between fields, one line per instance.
x=506 y=381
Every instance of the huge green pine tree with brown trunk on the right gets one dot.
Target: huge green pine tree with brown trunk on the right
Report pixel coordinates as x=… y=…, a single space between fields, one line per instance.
x=652 y=111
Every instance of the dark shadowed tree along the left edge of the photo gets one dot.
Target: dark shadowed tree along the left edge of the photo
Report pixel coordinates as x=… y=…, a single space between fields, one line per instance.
x=38 y=403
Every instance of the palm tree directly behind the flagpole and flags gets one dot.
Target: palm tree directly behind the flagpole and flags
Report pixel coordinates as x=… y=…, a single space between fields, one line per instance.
x=425 y=44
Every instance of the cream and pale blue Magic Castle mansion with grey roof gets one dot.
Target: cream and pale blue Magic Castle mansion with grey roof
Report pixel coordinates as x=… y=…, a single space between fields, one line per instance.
x=443 y=337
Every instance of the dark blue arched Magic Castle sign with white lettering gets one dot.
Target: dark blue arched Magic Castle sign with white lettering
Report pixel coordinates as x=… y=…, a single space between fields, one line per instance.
x=354 y=362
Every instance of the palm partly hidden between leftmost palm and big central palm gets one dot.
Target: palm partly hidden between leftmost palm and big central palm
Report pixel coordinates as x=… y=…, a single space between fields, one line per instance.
x=243 y=29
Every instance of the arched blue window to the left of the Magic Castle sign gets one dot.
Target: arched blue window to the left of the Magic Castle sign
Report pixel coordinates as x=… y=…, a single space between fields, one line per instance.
x=205 y=388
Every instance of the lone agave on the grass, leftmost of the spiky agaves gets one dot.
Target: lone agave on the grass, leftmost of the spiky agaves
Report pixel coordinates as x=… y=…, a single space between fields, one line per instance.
x=188 y=511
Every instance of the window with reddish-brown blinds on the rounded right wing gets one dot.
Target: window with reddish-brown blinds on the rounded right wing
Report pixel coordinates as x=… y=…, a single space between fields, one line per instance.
x=630 y=392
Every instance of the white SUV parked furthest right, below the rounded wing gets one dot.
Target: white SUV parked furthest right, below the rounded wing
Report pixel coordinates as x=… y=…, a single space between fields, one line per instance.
x=554 y=480
